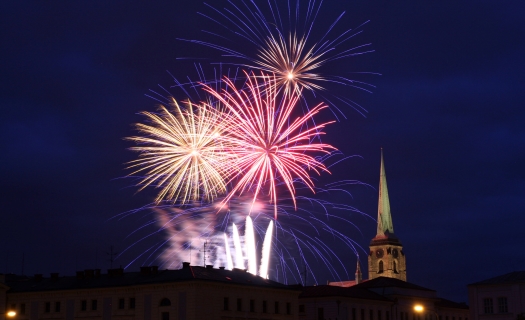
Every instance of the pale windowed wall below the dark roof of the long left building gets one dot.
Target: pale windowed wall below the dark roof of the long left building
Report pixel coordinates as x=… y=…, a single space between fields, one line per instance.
x=189 y=300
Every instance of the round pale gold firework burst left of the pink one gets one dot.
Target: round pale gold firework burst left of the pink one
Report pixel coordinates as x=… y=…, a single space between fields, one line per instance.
x=182 y=153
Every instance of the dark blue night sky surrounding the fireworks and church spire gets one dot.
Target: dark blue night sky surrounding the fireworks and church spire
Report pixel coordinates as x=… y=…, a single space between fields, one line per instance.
x=447 y=111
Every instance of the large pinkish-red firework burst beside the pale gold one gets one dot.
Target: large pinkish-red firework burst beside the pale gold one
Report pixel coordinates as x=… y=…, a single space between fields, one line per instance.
x=269 y=145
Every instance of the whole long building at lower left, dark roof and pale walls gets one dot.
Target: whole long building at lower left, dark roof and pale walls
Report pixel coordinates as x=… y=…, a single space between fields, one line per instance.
x=189 y=293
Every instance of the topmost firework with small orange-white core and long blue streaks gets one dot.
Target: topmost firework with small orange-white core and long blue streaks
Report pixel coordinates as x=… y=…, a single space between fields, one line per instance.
x=284 y=44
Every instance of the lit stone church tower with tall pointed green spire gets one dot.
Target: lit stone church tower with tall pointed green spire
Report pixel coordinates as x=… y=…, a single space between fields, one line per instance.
x=386 y=257
